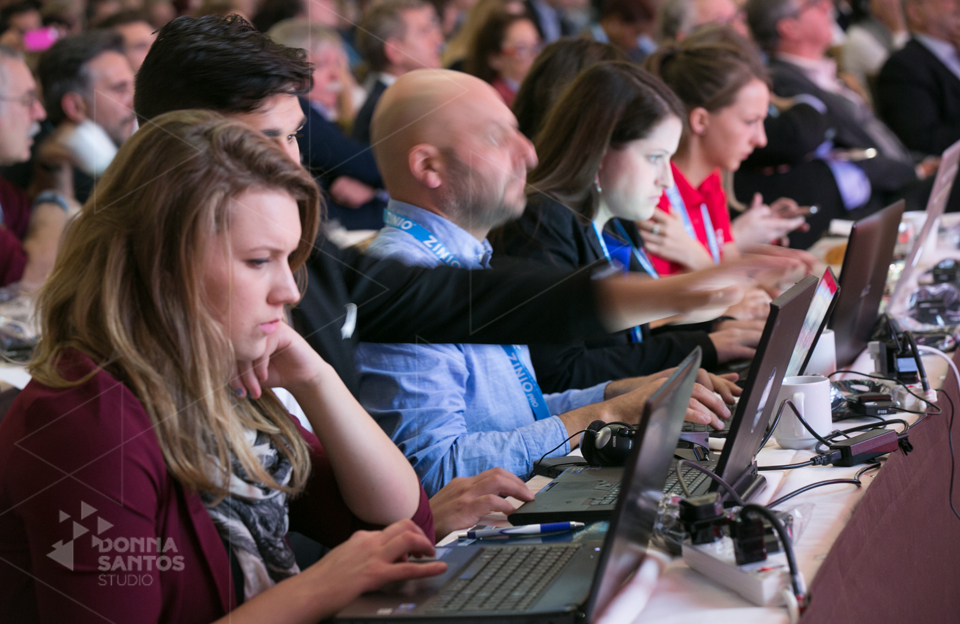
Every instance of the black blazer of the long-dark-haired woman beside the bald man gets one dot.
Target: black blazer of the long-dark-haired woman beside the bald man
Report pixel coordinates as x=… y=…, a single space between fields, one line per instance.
x=551 y=233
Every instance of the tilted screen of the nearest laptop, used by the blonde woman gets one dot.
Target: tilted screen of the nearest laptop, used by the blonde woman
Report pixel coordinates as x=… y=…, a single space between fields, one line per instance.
x=642 y=486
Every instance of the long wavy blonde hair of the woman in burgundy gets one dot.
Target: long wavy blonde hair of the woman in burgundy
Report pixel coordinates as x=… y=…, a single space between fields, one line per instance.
x=128 y=291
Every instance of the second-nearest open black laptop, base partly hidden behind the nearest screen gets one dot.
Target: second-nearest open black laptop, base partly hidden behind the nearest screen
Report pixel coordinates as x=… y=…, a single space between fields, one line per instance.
x=582 y=494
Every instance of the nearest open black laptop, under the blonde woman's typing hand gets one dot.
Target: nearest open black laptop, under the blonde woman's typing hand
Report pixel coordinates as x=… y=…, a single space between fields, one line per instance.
x=563 y=581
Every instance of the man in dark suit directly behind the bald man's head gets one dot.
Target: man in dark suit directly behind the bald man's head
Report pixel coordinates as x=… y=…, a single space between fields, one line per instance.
x=395 y=37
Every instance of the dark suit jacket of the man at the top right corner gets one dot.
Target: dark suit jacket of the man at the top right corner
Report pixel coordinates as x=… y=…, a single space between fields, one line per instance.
x=919 y=98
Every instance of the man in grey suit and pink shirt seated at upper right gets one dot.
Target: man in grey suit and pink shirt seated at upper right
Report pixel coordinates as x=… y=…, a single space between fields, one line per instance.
x=870 y=167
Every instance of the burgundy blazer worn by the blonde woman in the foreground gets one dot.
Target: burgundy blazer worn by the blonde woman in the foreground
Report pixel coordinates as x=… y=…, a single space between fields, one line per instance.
x=85 y=495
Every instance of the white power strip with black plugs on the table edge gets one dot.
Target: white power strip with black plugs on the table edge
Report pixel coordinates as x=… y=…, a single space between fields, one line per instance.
x=762 y=583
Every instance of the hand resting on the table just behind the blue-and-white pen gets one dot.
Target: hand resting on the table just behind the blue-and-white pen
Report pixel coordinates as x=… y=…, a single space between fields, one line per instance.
x=463 y=501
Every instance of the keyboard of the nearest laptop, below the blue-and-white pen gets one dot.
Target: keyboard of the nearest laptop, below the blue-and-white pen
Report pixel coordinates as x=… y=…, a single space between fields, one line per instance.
x=504 y=578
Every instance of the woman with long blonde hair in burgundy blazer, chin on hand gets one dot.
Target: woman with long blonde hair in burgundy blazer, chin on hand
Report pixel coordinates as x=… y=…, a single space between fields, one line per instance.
x=147 y=473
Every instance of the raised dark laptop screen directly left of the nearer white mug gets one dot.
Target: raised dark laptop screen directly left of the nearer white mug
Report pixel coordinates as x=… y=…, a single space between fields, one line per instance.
x=787 y=314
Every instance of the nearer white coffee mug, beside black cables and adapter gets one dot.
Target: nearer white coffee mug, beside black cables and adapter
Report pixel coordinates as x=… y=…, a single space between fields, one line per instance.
x=811 y=395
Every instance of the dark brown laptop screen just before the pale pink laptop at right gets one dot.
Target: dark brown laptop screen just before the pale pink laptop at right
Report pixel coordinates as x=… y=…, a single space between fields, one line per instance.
x=862 y=279
